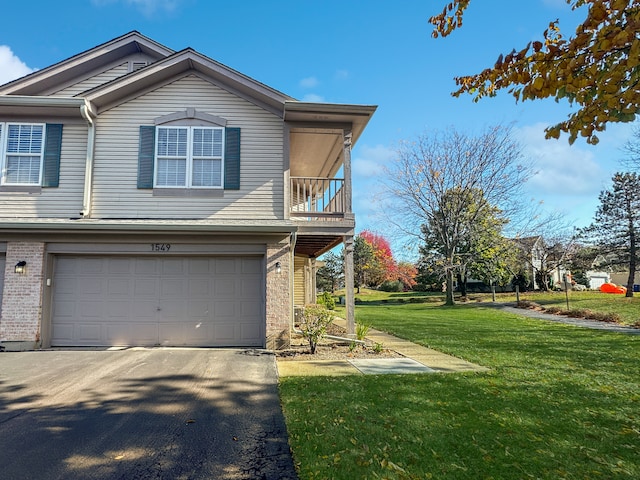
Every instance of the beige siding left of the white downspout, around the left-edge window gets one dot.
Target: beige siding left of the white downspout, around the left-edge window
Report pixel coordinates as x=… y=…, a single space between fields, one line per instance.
x=64 y=201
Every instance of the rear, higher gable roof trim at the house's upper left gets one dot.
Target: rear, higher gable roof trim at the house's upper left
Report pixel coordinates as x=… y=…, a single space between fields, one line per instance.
x=90 y=60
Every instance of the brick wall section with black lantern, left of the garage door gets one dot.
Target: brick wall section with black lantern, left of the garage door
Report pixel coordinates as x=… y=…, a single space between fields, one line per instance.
x=22 y=296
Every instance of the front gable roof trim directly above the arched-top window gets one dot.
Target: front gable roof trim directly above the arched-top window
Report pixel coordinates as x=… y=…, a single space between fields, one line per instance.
x=182 y=63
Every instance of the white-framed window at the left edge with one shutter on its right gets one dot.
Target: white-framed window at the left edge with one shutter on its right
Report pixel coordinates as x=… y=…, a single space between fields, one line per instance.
x=22 y=147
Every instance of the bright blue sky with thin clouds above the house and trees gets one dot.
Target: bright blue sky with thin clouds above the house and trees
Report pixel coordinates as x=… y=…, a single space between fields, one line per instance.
x=358 y=51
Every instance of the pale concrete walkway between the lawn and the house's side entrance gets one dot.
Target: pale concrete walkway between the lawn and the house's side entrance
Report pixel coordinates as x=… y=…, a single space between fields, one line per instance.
x=415 y=359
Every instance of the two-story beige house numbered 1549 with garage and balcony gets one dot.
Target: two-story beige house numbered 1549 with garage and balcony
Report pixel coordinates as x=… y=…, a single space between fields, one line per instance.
x=152 y=197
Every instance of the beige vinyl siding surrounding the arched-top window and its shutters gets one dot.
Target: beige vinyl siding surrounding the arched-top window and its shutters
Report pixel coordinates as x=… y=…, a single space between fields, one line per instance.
x=261 y=191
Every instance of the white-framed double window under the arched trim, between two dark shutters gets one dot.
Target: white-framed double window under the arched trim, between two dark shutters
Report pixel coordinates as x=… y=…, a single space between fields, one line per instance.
x=189 y=157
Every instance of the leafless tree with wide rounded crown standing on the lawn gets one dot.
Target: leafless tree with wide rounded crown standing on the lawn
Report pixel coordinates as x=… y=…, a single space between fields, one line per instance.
x=447 y=182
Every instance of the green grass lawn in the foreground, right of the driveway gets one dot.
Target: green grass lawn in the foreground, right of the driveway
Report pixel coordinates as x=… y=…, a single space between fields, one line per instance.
x=559 y=403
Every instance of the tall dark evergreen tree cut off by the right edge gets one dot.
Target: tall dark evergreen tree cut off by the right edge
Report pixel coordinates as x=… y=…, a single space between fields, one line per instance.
x=617 y=223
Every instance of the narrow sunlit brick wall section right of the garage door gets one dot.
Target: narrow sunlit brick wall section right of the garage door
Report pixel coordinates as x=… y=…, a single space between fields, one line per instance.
x=278 y=301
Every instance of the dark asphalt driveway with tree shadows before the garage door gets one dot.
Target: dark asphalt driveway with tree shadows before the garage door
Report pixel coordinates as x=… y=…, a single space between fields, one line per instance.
x=141 y=414
